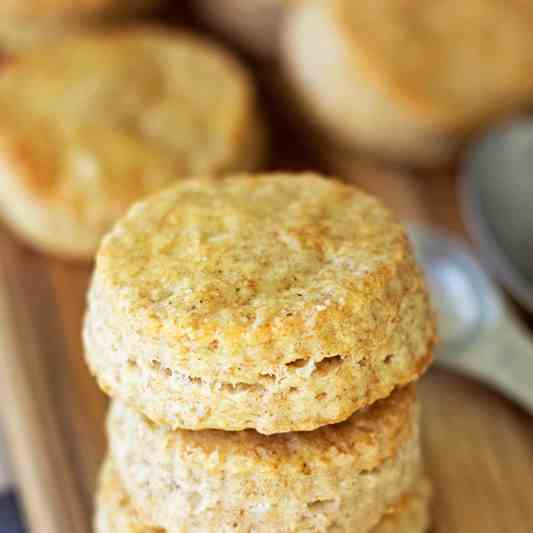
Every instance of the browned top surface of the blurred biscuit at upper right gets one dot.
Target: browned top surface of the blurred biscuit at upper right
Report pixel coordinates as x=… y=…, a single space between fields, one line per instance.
x=455 y=58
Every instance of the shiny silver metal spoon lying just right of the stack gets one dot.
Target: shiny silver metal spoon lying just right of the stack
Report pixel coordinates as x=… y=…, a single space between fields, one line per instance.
x=480 y=336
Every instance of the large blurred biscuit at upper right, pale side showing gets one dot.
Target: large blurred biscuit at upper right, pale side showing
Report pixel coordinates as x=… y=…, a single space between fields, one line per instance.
x=409 y=82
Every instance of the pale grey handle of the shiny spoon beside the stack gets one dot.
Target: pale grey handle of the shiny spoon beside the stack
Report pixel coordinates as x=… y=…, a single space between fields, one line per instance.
x=504 y=359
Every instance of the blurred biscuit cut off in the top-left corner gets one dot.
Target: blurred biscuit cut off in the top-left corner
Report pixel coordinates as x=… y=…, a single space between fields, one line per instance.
x=27 y=23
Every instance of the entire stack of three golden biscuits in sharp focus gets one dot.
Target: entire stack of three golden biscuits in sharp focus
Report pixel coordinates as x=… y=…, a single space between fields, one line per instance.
x=285 y=317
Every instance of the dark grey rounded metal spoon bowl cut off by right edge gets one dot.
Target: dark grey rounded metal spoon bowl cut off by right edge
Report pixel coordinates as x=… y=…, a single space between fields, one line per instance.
x=497 y=202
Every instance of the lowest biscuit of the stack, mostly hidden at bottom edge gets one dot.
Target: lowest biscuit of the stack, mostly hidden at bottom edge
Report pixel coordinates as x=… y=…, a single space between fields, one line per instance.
x=116 y=514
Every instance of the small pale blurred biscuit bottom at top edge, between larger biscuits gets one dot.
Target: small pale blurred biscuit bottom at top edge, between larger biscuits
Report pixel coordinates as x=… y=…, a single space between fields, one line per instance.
x=253 y=24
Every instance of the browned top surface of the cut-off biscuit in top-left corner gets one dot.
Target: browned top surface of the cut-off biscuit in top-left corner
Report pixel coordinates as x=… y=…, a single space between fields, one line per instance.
x=31 y=8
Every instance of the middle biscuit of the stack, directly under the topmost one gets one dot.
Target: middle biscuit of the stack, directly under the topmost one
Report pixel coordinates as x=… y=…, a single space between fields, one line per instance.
x=347 y=475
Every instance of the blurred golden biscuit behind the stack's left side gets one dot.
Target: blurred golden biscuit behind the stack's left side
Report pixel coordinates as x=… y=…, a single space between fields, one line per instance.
x=91 y=124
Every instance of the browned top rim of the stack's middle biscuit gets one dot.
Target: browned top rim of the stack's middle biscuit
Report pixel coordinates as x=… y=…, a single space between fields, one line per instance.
x=364 y=441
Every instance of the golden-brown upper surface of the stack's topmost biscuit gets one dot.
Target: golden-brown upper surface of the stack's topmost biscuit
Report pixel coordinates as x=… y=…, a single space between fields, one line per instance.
x=252 y=271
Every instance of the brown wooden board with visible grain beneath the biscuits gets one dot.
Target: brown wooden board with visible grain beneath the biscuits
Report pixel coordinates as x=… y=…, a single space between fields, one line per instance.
x=479 y=446
